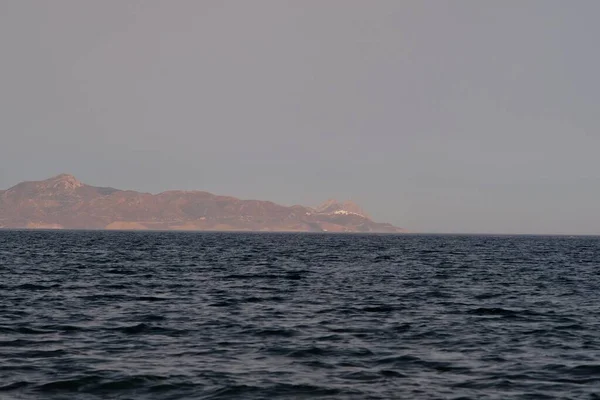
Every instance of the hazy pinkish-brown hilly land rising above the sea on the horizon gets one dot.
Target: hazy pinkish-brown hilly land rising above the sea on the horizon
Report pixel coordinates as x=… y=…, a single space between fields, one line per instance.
x=63 y=202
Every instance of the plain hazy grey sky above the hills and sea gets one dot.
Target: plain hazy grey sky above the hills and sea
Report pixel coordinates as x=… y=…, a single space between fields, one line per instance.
x=437 y=116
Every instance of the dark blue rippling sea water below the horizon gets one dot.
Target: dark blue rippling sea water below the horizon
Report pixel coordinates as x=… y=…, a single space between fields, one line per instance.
x=130 y=315
